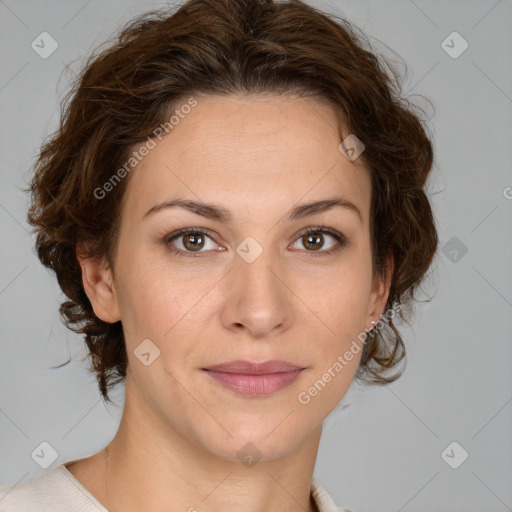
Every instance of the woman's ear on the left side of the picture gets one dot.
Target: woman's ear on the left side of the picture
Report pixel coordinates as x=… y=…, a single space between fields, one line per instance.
x=98 y=284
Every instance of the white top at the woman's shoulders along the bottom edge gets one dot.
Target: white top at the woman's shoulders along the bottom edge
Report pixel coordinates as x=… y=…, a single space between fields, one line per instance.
x=57 y=490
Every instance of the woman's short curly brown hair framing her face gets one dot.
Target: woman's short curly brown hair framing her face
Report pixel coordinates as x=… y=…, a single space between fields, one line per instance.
x=225 y=47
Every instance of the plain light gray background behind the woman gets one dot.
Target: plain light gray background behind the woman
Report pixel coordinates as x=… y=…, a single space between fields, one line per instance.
x=383 y=451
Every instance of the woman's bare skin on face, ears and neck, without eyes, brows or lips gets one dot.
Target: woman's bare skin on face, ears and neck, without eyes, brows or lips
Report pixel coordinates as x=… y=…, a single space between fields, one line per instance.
x=177 y=443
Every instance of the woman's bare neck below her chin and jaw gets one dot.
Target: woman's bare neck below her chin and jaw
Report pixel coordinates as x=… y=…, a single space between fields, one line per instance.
x=151 y=466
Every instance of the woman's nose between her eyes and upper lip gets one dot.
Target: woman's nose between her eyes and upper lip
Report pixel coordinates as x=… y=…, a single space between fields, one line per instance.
x=256 y=298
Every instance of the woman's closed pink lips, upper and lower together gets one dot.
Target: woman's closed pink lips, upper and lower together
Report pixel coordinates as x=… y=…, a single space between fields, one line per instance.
x=255 y=379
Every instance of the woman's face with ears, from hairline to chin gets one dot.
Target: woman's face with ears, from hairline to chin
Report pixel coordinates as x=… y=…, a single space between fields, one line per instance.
x=255 y=286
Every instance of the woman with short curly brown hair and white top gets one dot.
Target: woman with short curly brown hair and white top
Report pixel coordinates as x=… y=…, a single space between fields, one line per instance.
x=234 y=206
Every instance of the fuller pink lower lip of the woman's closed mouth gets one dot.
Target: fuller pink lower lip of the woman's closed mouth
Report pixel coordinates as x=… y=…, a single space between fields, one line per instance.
x=255 y=385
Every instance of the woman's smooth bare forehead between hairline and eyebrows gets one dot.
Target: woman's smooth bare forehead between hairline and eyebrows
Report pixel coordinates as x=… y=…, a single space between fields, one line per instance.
x=253 y=154
